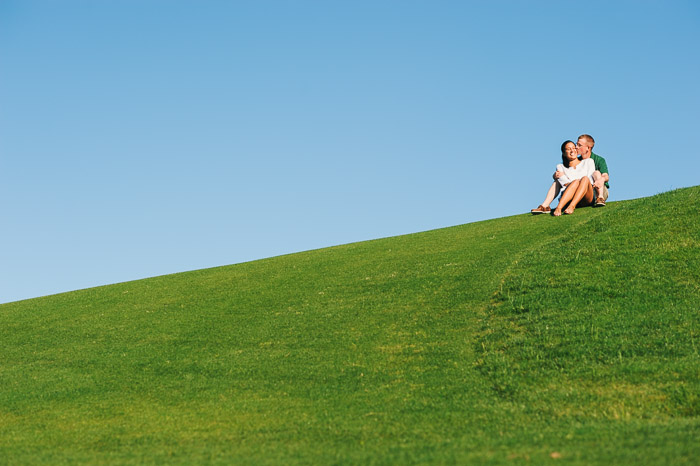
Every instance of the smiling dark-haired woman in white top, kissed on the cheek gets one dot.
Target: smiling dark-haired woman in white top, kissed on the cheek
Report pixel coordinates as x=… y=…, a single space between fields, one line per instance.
x=575 y=183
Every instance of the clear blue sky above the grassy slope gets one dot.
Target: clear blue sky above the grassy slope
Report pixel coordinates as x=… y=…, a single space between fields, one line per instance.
x=147 y=137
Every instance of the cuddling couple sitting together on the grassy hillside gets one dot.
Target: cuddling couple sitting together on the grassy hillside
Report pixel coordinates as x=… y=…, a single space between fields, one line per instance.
x=582 y=179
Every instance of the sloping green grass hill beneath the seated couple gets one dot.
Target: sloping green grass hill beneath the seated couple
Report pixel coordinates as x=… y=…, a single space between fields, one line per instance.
x=511 y=341
